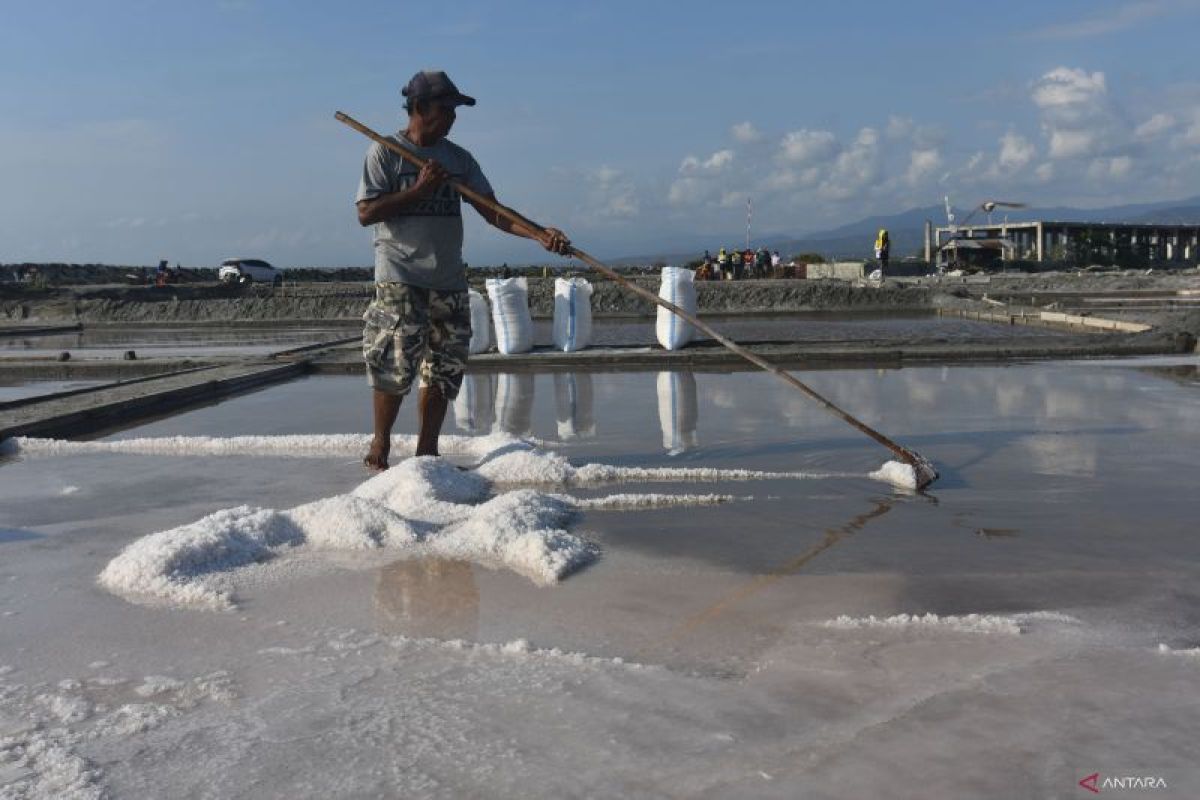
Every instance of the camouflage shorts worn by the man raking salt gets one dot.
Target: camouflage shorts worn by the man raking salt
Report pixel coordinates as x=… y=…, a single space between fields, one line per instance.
x=406 y=327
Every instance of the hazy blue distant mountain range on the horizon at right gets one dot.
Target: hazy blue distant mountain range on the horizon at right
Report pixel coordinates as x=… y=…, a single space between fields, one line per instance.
x=907 y=230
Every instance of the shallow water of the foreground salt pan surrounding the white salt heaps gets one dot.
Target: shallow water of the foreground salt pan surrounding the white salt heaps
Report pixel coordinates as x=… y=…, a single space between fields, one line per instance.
x=1065 y=518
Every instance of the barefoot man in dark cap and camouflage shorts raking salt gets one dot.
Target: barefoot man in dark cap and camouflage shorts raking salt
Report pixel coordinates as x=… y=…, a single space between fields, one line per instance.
x=422 y=314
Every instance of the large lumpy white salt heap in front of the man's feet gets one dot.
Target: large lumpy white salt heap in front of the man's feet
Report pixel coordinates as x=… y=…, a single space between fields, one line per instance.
x=423 y=507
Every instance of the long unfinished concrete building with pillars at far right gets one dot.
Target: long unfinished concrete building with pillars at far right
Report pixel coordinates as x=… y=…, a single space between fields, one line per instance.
x=1078 y=243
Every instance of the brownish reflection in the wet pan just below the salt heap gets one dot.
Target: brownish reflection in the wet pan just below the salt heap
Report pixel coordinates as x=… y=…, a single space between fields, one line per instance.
x=428 y=598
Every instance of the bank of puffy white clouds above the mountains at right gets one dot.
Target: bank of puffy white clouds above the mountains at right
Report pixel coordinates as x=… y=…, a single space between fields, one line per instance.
x=1081 y=147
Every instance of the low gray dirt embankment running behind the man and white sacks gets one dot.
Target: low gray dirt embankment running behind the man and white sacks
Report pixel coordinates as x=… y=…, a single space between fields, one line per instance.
x=347 y=302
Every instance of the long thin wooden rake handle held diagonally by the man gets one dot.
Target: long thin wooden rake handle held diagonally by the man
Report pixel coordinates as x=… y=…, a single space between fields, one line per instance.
x=539 y=233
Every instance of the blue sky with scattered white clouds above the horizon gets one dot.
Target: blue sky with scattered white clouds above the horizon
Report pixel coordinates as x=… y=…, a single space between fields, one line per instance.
x=133 y=131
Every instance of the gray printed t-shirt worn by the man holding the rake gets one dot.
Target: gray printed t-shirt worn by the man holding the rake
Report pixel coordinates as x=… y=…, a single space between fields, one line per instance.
x=423 y=245
